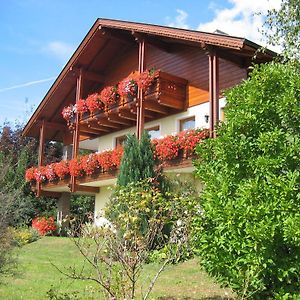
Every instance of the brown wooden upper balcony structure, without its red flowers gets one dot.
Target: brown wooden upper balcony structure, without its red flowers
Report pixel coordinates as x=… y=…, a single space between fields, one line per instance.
x=166 y=96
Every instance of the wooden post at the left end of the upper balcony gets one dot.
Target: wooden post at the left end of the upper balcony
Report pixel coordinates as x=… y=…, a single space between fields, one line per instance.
x=76 y=133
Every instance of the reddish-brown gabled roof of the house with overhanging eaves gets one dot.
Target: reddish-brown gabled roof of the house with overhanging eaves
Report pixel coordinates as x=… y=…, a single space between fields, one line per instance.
x=87 y=51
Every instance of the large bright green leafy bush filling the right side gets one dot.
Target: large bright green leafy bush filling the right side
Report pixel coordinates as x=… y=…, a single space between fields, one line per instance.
x=248 y=235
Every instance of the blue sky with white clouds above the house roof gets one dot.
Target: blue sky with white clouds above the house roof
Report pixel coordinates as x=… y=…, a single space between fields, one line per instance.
x=39 y=36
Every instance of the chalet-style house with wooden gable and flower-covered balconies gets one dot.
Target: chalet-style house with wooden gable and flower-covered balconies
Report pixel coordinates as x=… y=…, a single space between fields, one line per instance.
x=192 y=69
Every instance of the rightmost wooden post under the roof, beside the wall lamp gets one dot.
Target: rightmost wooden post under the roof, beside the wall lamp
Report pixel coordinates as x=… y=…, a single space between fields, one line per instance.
x=214 y=91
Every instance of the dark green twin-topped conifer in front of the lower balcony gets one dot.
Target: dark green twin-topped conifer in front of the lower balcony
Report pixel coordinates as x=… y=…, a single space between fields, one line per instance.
x=137 y=162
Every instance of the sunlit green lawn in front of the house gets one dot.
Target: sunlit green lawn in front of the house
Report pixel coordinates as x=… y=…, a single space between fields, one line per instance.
x=36 y=275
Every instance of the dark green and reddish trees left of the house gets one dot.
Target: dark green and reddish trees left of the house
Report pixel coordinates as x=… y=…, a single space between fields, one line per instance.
x=16 y=154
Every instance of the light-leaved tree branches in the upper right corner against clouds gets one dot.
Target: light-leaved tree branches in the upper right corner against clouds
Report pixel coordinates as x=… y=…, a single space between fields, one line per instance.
x=283 y=28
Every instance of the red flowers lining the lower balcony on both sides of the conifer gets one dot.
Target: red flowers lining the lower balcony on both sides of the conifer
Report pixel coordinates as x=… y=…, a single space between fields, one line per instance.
x=165 y=149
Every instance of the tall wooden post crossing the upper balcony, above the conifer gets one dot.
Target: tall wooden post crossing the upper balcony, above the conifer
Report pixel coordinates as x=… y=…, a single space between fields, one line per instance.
x=140 y=105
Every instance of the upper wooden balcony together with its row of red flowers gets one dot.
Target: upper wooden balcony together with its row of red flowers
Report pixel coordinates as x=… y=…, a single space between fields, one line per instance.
x=115 y=107
